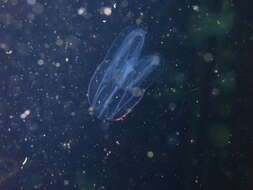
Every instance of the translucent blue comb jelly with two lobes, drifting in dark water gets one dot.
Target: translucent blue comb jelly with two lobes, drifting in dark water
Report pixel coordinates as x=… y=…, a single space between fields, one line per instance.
x=119 y=82
